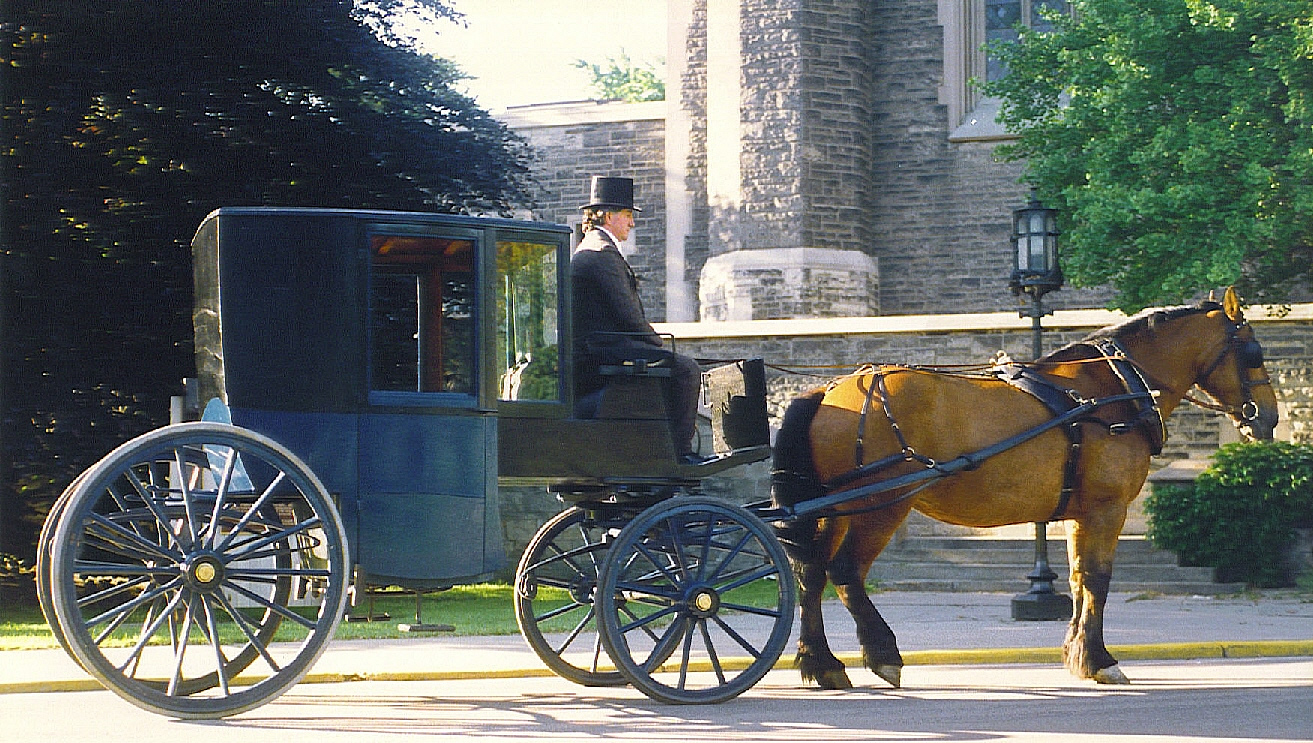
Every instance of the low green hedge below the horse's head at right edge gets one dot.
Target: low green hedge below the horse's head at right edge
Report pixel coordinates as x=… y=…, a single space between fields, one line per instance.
x=1241 y=514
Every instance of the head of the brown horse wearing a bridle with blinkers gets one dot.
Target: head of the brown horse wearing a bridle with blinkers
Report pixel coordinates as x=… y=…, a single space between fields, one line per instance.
x=1232 y=372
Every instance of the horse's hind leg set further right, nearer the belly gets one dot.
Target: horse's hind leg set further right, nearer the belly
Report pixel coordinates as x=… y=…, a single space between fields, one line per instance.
x=849 y=572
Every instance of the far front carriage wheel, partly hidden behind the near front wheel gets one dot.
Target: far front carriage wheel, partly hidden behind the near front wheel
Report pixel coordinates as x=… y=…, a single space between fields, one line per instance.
x=567 y=555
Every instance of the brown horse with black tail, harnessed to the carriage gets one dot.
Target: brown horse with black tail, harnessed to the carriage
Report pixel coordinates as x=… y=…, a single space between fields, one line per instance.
x=1113 y=392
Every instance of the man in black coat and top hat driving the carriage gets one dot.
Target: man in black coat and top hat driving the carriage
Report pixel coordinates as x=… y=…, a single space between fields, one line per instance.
x=609 y=314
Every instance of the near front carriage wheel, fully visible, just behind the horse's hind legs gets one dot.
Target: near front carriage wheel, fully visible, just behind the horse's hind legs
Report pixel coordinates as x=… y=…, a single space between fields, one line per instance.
x=711 y=584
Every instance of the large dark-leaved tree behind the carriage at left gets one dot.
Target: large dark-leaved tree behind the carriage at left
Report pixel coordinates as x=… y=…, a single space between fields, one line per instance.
x=127 y=123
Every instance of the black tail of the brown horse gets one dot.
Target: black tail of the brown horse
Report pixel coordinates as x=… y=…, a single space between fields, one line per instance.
x=794 y=476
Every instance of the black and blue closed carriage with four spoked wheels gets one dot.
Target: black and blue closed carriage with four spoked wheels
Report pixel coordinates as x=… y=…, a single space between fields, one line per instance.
x=366 y=383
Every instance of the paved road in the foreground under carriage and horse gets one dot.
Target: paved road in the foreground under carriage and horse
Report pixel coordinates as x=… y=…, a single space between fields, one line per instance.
x=1197 y=702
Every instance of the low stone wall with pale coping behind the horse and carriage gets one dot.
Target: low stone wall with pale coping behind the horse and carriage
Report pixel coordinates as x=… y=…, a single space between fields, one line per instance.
x=827 y=350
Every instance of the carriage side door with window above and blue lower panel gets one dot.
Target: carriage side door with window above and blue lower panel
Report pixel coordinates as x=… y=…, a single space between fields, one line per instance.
x=429 y=446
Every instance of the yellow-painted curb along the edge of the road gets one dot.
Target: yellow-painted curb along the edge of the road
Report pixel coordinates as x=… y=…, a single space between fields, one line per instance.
x=981 y=657
